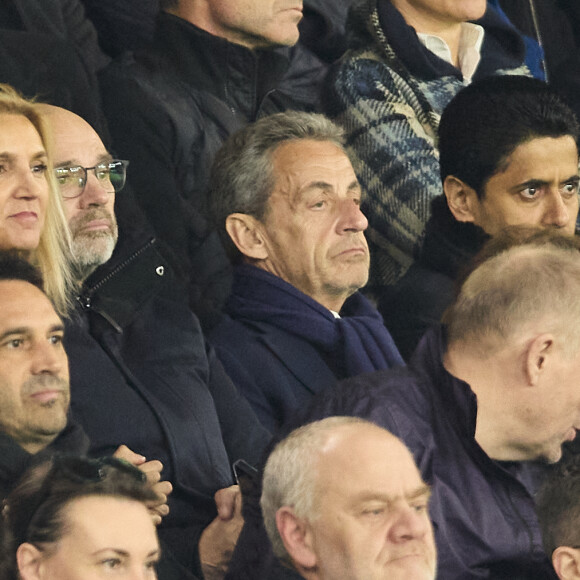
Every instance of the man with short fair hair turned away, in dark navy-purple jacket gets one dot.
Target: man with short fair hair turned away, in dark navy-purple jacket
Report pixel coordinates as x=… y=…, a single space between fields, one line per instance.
x=484 y=397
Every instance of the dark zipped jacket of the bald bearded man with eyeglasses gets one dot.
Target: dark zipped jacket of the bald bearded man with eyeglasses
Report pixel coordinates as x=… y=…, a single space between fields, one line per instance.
x=141 y=375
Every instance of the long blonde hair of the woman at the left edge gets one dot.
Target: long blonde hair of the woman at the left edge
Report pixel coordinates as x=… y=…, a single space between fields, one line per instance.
x=53 y=253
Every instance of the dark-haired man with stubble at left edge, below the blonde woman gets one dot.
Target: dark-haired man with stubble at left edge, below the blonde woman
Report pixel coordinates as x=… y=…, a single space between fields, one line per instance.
x=34 y=379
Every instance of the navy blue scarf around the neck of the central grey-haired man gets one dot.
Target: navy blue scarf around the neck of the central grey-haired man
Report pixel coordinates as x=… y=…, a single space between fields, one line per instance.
x=359 y=338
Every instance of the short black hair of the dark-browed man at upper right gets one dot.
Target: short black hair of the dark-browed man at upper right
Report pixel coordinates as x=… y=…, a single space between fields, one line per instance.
x=485 y=122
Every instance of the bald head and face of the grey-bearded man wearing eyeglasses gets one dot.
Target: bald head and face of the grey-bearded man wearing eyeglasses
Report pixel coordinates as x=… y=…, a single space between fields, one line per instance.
x=90 y=210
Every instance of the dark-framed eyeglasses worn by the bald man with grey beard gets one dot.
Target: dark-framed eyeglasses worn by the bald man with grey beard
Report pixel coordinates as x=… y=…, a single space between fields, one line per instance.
x=72 y=180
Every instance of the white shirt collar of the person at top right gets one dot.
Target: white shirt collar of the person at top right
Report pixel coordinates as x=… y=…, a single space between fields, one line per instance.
x=469 y=48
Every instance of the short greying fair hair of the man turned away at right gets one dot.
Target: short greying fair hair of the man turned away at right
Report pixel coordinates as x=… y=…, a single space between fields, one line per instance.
x=514 y=290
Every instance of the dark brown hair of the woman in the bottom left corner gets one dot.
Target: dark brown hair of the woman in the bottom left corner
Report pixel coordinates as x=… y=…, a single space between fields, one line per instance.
x=35 y=510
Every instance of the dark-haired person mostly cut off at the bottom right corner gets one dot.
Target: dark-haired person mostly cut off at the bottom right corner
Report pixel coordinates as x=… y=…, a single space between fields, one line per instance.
x=558 y=505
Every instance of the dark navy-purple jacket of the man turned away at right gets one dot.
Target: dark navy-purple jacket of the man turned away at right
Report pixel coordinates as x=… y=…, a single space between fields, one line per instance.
x=482 y=510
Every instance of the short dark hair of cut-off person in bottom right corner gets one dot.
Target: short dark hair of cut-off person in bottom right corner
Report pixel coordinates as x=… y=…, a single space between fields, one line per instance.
x=558 y=505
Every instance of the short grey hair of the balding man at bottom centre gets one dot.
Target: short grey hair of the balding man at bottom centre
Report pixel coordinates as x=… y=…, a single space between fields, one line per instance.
x=291 y=474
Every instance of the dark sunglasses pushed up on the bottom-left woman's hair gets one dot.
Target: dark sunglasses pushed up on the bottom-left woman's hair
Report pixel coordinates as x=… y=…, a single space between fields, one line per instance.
x=76 y=469
